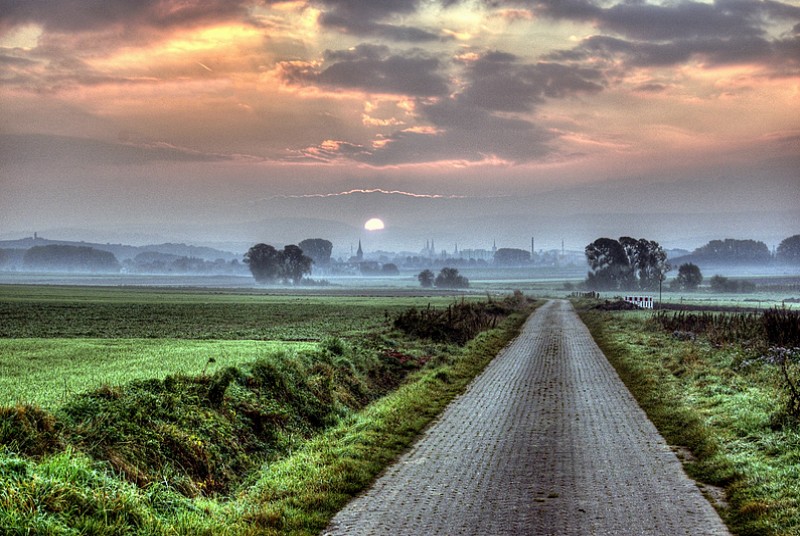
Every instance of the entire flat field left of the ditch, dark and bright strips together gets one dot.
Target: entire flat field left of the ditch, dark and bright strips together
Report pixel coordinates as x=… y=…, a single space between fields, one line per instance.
x=56 y=341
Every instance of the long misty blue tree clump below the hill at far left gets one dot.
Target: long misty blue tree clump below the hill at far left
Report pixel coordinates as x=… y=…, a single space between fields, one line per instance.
x=60 y=258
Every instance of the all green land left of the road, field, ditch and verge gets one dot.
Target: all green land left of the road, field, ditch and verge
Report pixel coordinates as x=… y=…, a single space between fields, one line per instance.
x=200 y=411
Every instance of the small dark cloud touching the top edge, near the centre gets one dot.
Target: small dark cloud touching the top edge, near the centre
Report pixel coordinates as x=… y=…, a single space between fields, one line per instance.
x=373 y=18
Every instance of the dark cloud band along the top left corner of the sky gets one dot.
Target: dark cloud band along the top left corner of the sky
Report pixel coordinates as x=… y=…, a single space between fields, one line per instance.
x=93 y=15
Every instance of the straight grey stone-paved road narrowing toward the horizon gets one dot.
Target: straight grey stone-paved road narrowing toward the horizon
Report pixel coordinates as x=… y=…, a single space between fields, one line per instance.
x=546 y=441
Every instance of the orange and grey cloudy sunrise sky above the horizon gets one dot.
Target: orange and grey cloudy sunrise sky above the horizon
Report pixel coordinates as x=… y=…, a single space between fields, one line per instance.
x=469 y=121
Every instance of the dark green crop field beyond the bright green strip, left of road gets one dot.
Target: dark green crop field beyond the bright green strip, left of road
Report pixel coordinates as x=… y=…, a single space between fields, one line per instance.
x=84 y=312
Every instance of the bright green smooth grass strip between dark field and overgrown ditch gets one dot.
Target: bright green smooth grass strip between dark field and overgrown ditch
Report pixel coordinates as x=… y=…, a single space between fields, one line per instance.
x=47 y=372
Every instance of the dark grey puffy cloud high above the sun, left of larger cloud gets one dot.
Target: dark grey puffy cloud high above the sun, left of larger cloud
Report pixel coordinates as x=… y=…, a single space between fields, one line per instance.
x=373 y=68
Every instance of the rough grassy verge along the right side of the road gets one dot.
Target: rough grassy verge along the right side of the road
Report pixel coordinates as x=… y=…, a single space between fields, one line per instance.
x=703 y=396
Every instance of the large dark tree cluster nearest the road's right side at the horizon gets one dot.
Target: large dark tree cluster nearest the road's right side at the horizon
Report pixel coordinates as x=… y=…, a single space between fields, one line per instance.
x=625 y=264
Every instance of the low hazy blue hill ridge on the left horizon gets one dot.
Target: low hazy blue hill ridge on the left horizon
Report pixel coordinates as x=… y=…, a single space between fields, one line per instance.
x=123 y=252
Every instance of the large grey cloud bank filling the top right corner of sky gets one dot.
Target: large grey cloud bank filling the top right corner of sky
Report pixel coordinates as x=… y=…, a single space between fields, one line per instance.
x=639 y=34
